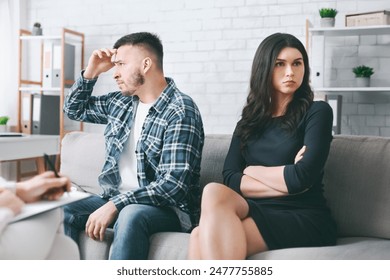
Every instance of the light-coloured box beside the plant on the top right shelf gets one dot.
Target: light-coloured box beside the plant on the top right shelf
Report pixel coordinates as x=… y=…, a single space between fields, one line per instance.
x=370 y=18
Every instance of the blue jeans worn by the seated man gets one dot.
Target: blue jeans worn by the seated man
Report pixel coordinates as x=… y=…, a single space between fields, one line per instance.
x=132 y=228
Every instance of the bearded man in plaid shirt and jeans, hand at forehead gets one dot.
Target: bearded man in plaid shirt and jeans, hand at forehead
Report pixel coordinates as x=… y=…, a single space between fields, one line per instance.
x=154 y=139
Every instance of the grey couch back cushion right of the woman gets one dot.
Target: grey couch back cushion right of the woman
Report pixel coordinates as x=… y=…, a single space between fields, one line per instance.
x=357 y=185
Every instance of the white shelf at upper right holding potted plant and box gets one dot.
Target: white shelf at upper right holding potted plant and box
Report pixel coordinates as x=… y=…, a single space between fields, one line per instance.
x=353 y=30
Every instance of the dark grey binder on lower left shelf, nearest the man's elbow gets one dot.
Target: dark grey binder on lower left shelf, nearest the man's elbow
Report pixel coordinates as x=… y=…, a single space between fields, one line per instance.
x=46 y=114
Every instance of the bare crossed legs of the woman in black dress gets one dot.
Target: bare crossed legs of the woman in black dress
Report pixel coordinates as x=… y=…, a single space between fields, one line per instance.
x=224 y=230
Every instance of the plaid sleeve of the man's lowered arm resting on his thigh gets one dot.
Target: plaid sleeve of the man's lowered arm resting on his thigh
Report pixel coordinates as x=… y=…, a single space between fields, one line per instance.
x=179 y=161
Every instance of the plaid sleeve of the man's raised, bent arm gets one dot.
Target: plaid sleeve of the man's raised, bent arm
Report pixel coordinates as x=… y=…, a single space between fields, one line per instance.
x=80 y=105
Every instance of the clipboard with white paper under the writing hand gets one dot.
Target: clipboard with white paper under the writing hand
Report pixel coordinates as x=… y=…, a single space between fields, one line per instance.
x=31 y=209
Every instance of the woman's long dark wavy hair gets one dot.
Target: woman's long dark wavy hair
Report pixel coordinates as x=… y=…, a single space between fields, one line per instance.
x=257 y=112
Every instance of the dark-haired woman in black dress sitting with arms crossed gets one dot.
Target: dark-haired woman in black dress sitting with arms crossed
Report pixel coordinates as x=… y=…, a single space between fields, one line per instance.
x=272 y=195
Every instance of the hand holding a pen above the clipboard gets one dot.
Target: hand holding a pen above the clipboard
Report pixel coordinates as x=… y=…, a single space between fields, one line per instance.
x=43 y=186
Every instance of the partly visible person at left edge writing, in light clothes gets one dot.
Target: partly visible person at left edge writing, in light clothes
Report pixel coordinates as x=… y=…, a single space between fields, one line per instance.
x=40 y=236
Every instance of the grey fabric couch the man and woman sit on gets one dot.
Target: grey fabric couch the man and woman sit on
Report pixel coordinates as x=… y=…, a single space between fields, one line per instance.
x=357 y=186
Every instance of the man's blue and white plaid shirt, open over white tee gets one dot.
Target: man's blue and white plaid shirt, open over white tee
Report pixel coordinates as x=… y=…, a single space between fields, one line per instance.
x=168 y=152
